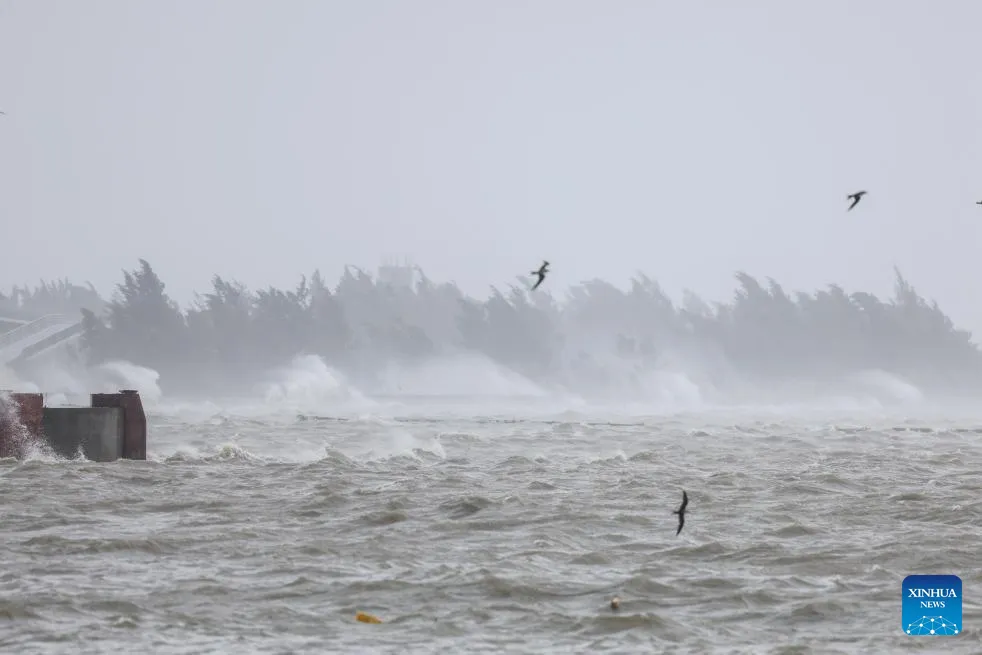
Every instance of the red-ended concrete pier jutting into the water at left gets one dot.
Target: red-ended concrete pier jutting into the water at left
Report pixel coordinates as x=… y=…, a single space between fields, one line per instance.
x=113 y=427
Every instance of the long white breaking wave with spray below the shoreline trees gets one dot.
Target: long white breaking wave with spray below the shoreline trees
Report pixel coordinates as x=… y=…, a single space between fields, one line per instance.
x=470 y=384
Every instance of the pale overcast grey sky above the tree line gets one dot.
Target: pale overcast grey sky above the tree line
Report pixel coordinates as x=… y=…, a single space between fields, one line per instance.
x=261 y=140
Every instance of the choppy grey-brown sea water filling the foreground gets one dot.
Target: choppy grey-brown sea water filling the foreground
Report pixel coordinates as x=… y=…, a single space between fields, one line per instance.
x=477 y=527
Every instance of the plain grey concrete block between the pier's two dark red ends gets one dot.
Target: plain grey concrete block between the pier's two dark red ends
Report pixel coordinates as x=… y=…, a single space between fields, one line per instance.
x=99 y=431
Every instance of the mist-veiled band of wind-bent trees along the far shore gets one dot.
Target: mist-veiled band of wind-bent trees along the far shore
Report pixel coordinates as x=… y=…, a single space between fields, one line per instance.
x=386 y=333
